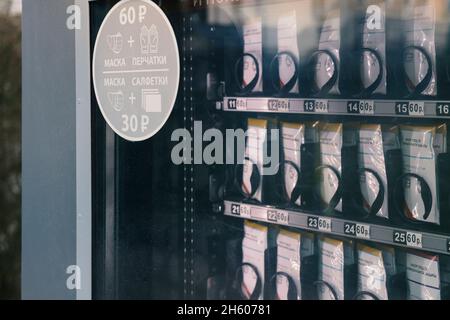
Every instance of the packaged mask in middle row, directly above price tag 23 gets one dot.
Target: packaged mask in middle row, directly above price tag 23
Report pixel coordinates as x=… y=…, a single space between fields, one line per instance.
x=331 y=142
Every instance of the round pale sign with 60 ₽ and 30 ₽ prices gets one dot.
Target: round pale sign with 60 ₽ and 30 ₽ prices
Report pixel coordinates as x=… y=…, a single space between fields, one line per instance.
x=136 y=69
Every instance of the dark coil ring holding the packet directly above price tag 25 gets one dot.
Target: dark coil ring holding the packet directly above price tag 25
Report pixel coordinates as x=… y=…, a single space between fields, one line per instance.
x=426 y=197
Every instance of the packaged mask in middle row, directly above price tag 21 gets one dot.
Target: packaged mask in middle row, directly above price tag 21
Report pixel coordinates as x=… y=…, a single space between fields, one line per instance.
x=254 y=155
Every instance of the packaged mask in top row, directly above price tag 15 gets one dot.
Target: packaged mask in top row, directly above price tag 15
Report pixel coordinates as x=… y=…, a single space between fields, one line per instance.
x=420 y=47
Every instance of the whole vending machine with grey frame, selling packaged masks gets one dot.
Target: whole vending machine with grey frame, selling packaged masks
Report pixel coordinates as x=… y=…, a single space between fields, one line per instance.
x=236 y=150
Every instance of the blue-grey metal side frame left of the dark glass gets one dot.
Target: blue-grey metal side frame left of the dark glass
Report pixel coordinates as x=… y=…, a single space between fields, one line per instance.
x=56 y=139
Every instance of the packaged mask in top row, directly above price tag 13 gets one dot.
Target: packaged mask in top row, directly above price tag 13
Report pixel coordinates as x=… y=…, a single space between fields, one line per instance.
x=328 y=57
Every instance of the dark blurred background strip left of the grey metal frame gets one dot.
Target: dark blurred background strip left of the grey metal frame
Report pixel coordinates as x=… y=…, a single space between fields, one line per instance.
x=10 y=148
